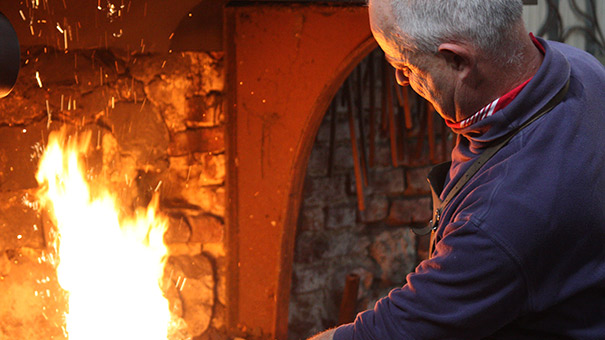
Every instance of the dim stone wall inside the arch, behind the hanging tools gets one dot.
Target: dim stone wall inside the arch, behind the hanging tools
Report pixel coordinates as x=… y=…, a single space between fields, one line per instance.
x=335 y=238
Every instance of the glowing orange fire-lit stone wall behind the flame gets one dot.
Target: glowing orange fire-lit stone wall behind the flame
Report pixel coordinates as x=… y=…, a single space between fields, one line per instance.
x=157 y=123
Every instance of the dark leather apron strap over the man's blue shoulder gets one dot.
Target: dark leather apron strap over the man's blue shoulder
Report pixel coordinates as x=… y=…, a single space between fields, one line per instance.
x=438 y=174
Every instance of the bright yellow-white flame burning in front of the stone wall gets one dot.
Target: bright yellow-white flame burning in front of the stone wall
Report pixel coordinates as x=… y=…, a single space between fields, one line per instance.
x=110 y=265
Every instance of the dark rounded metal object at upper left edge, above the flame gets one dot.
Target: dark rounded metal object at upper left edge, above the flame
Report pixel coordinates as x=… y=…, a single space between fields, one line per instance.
x=10 y=55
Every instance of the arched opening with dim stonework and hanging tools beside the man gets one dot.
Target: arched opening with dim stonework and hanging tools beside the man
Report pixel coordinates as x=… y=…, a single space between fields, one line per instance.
x=365 y=191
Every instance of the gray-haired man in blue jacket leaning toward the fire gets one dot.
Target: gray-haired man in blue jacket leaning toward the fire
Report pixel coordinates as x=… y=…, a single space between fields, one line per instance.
x=519 y=249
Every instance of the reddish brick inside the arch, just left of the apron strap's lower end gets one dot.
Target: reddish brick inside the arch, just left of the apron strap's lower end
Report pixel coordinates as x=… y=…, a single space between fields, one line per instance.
x=409 y=211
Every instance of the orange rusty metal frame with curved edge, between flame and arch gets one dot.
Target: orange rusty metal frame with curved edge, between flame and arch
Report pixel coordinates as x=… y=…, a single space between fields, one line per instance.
x=285 y=62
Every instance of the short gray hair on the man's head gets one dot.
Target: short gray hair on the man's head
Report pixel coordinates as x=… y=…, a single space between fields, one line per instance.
x=486 y=24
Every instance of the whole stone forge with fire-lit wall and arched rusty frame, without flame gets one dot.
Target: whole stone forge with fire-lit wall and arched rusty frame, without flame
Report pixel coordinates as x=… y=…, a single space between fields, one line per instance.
x=287 y=163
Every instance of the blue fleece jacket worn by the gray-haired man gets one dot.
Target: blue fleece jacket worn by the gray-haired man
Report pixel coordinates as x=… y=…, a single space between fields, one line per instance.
x=520 y=251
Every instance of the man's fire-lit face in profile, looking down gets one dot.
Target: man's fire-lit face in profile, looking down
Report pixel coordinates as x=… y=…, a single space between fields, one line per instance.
x=428 y=75
